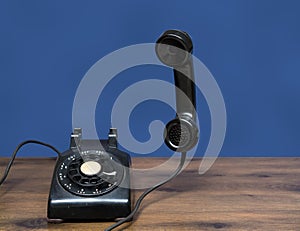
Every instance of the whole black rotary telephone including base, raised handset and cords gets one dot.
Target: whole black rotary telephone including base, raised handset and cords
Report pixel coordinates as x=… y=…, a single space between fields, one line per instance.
x=91 y=180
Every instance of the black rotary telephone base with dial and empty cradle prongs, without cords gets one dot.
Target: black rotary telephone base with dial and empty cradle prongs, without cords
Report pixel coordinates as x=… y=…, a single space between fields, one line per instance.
x=90 y=183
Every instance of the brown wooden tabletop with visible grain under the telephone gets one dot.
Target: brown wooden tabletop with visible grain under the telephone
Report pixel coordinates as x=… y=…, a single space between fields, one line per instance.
x=235 y=194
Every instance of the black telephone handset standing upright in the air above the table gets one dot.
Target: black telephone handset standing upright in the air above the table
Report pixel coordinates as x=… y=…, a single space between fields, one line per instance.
x=174 y=48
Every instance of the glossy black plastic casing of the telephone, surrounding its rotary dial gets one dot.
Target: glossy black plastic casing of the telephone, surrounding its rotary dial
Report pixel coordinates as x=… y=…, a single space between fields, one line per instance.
x=63 y=205
